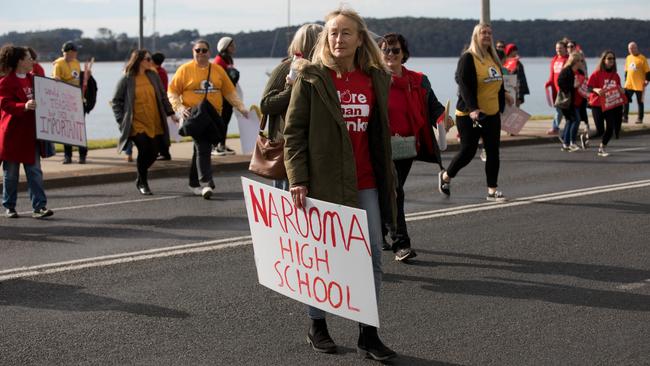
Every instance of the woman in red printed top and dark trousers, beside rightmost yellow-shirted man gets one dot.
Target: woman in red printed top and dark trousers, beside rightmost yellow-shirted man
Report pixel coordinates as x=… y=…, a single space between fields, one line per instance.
x=605 y=80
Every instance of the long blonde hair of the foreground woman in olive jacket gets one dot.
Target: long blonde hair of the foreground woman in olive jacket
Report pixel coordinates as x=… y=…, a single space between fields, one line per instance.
x=366 y=57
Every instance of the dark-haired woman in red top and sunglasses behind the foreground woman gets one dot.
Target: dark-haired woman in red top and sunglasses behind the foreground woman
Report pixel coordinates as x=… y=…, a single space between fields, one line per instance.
x=413 y=112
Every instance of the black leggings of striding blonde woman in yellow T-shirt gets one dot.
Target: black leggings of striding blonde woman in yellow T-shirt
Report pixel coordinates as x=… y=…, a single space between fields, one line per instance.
x=490 y=130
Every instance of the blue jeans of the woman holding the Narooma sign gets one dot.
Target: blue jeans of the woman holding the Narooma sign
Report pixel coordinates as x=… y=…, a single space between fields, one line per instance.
x=369 y=201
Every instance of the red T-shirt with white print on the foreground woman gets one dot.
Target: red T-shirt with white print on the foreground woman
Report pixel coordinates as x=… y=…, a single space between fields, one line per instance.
x=357 y=98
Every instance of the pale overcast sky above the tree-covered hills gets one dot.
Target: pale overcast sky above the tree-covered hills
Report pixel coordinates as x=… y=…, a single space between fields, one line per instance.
x=232 y=16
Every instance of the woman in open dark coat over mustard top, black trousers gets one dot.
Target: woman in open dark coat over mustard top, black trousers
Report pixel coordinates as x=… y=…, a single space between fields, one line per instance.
x=140 y=107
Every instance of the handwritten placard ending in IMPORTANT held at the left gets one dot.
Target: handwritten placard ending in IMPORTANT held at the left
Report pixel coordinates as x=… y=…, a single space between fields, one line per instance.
x=59 y=112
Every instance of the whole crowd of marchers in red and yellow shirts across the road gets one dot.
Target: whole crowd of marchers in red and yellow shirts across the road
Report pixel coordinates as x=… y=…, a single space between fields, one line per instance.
x=351 y=116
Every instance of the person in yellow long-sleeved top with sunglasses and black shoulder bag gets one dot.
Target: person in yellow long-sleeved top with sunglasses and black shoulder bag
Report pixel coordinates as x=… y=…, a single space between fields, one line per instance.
x=187 y=89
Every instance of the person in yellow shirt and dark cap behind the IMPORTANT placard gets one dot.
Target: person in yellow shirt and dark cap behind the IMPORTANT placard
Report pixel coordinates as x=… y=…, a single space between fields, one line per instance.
x=68 y=70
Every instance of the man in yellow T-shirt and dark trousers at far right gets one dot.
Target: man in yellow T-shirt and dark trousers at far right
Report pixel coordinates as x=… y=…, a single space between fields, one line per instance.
x=636 y=69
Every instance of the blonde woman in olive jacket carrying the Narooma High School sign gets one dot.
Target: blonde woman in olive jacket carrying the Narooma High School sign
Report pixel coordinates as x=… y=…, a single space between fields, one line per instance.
x=338 y=148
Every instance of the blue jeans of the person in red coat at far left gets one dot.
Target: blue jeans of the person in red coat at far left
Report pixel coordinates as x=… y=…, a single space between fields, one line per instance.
x=34 y=183
